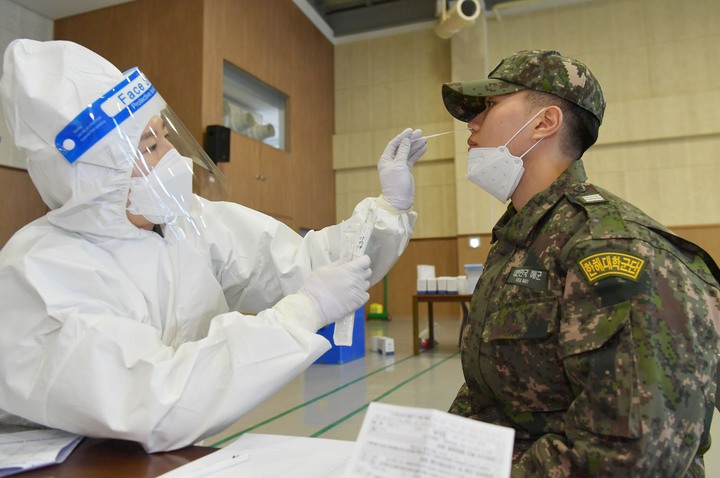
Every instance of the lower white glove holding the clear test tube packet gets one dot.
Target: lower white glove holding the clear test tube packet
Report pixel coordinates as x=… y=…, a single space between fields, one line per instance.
x=339 y=288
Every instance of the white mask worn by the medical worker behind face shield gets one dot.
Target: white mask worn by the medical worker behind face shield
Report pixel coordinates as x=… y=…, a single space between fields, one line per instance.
x=165 y=192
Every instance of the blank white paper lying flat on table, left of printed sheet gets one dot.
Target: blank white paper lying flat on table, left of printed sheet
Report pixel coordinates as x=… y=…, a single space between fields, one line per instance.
x=273 y=456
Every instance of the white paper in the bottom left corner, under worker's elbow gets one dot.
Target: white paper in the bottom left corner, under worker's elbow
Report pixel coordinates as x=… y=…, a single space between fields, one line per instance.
x=26 y=450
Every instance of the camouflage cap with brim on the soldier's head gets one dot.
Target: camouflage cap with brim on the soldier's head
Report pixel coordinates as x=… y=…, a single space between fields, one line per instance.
x=541 y=70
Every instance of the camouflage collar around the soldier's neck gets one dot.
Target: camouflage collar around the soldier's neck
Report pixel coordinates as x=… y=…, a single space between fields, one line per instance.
x=515 y=227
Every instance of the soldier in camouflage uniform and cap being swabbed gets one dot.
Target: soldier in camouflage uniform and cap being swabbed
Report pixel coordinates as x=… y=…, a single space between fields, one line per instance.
x=592 y=332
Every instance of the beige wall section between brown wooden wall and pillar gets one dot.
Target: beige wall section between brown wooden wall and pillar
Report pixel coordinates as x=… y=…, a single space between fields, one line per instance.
x=382 y=86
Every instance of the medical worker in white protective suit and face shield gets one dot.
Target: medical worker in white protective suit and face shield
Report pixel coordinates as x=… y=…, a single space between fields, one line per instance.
x=135 y=309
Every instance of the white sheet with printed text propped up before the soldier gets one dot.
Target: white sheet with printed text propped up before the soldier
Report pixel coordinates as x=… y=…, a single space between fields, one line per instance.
x=399 y=442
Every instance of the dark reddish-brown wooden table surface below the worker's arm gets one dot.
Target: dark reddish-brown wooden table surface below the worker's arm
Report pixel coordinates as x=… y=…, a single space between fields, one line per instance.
x=98 y=458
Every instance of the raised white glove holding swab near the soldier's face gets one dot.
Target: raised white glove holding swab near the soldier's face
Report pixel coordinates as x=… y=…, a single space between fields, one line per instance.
x=395 y=168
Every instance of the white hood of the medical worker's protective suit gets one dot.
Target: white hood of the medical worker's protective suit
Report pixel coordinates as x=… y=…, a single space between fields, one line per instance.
x=44 y=86
